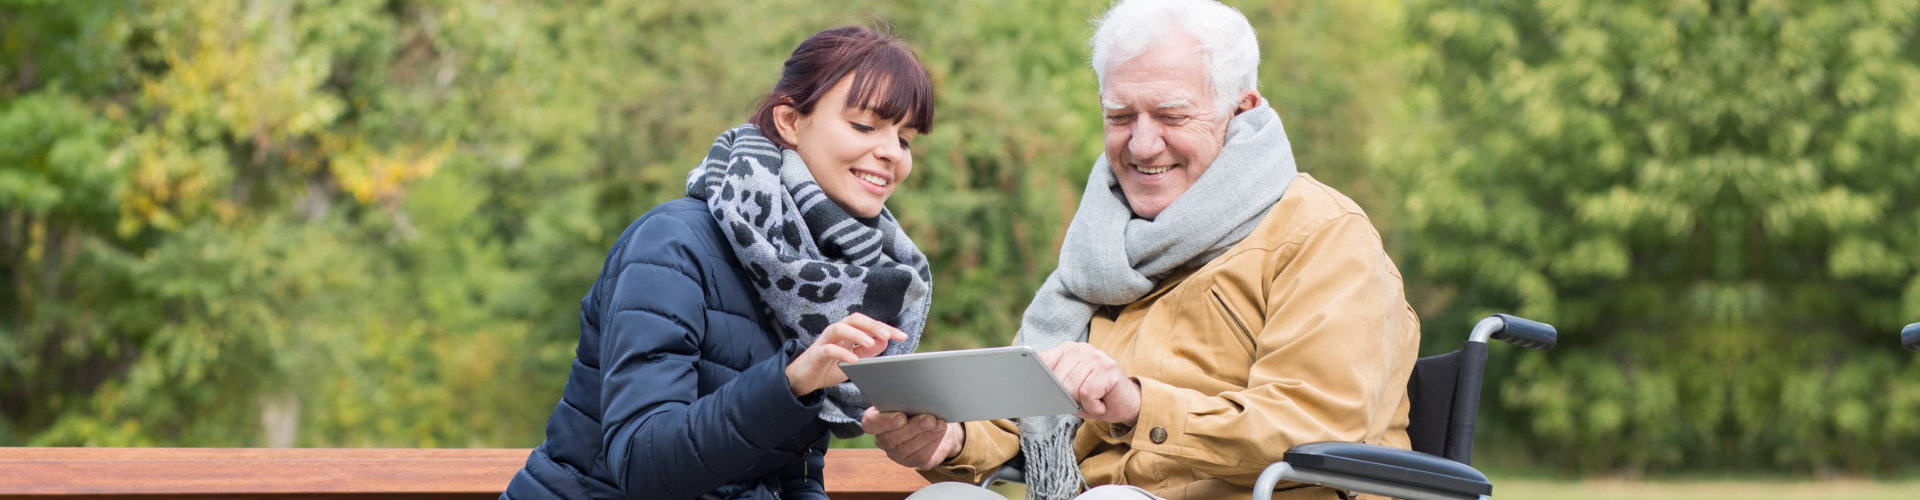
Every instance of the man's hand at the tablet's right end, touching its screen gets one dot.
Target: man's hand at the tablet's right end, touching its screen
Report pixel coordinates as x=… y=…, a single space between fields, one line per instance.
x=1103 y=391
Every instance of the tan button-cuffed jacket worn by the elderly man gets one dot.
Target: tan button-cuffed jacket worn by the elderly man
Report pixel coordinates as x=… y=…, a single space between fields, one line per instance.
x=1299 y=334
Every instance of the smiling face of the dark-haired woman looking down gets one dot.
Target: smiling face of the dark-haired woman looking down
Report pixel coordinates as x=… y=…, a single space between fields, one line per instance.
x=855 y=157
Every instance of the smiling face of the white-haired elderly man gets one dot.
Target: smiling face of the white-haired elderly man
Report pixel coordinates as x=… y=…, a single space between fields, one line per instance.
x=1163 y=130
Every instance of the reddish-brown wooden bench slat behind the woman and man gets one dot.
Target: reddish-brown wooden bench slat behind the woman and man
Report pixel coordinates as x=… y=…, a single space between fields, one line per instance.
x=362 y=474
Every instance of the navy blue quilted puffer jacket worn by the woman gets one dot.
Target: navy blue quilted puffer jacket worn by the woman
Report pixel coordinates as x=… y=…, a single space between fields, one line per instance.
x=679 y=389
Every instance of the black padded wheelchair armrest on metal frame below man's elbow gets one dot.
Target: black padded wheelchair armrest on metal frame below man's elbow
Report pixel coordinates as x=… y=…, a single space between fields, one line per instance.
x=1380 y=470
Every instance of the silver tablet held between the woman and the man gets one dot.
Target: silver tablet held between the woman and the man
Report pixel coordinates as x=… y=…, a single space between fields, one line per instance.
x=963 y=386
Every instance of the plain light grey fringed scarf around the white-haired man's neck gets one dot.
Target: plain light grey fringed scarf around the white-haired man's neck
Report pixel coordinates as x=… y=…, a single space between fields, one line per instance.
x=1113 y=259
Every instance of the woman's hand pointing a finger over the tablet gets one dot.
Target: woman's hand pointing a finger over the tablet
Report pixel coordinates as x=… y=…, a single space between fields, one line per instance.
x=842 y=343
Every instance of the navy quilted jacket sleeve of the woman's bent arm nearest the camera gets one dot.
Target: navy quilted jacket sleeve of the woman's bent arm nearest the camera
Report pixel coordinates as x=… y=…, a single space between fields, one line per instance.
x=663 y=441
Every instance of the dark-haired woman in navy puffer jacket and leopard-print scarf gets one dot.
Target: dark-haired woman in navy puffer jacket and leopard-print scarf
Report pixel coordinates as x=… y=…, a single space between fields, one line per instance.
x=711 y=343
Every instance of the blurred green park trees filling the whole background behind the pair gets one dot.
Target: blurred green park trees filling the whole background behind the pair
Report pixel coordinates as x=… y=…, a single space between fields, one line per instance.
x=370 y=224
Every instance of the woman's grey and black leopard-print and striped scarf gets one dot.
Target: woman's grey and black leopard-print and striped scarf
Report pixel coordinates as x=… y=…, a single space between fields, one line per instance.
x=809 y=259
